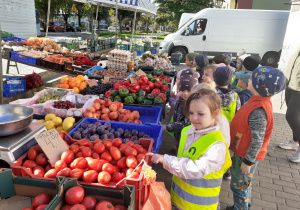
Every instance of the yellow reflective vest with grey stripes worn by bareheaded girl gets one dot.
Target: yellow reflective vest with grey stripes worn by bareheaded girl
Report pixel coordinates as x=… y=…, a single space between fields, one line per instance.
x=199 y=193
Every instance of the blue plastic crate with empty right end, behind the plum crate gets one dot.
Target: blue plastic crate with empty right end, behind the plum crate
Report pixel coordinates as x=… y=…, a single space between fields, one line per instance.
x=148 y=115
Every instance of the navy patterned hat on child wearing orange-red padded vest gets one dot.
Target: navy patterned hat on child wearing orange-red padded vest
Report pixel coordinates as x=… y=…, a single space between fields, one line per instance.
x=268 y=81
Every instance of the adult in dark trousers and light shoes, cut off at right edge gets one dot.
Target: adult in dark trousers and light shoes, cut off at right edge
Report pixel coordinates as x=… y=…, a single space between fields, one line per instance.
x=292 y=98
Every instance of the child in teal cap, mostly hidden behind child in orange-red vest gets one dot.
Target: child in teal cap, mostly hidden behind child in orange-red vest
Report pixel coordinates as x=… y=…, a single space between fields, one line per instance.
x=243 y=79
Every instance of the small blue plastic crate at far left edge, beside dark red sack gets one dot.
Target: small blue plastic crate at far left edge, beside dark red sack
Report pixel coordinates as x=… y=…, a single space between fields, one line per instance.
x=10 y=90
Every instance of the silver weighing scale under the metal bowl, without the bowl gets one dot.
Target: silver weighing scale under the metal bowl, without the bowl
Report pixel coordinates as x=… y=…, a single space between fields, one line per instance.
x=14 y=146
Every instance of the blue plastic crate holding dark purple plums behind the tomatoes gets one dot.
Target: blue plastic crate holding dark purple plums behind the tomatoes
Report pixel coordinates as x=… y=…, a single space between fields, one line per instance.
x=154 y=131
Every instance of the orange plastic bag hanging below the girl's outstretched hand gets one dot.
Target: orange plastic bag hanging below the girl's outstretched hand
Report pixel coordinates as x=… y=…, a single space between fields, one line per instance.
x=157 y=197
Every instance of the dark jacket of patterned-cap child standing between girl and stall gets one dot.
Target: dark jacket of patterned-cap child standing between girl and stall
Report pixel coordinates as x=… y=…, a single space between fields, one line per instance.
x=179 y=120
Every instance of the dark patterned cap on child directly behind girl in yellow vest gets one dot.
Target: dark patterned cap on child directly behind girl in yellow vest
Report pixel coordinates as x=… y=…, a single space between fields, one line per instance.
x=188 y=79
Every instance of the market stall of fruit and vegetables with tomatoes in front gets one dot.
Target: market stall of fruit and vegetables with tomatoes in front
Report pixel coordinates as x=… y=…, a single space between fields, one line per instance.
x=82 y=144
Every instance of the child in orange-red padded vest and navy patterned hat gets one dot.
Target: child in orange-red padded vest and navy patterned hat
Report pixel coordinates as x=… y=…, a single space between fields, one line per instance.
x=251 y=131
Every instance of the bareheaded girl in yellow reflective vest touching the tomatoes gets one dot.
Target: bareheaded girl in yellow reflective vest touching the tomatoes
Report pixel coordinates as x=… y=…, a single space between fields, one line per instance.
x=202 y=157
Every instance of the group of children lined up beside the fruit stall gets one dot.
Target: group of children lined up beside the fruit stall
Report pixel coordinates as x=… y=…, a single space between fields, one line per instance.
x=218 y=108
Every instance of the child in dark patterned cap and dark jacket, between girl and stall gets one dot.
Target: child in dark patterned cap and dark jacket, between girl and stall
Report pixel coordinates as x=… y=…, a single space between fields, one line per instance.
x=188 y=79
